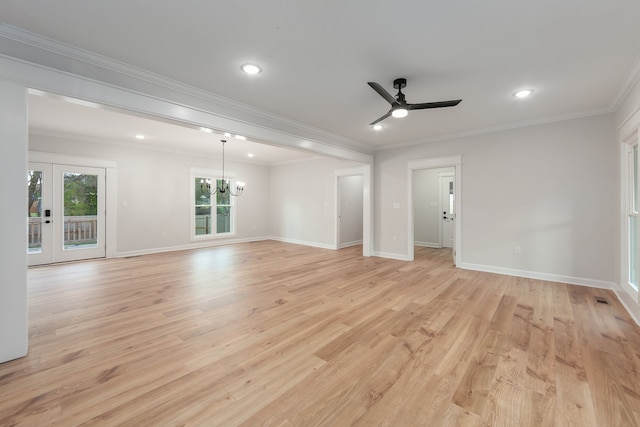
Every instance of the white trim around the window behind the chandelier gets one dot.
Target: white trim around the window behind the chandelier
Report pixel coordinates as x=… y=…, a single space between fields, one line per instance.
x=214 y=175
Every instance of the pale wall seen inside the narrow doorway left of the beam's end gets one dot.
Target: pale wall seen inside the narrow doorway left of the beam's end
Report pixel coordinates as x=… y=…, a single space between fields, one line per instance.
x=350 y=212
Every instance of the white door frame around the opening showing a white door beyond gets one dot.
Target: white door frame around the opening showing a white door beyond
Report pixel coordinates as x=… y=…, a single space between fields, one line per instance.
x=454 y=161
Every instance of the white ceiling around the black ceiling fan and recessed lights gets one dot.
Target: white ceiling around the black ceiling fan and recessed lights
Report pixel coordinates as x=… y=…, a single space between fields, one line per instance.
x=580 y=56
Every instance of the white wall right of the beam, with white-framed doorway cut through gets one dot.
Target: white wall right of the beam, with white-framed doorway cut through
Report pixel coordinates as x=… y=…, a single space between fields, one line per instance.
x=550 y=189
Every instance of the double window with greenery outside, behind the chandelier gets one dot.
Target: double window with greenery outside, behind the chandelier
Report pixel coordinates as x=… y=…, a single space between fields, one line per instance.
x=211 y=214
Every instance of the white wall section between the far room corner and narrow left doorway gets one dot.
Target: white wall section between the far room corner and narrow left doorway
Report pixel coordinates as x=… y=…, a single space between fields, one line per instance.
x=302 y=203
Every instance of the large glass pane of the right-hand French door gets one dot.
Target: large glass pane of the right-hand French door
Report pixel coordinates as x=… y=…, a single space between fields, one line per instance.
x=80 y=210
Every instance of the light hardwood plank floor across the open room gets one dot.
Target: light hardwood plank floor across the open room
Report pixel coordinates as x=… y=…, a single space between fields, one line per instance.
x=274 y=334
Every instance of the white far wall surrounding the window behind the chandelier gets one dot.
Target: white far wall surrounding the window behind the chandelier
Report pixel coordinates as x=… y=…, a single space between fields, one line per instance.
x=153 y=194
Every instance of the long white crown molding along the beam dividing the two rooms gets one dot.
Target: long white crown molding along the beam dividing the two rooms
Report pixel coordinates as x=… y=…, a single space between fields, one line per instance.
x=217 y=104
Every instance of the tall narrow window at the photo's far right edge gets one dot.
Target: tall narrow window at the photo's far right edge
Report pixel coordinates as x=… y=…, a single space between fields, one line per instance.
x=632 y=215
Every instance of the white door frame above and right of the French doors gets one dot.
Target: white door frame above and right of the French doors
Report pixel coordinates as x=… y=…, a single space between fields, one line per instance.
x=111 y=185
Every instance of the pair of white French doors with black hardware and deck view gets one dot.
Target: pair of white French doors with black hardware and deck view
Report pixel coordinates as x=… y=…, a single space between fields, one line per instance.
x=65 y=213
